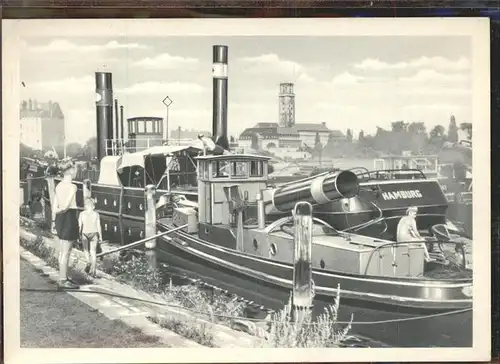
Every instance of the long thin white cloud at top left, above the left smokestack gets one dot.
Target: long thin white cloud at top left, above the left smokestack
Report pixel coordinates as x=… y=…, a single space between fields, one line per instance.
x=62 y=45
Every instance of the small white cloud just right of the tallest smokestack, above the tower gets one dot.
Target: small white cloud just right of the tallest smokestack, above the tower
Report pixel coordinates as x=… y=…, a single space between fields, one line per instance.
x=271 y=63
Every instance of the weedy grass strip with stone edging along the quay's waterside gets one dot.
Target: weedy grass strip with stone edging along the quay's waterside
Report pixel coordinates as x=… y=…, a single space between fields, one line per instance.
x=199 y=313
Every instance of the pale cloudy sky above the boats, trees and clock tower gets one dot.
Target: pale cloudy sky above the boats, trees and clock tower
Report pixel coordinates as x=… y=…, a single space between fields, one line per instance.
x=346 y=82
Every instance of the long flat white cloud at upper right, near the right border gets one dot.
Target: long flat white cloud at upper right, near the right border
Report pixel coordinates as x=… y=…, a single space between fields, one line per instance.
x=374 y=64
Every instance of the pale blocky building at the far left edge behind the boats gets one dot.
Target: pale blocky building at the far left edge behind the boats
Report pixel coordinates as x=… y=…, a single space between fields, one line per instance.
x=42 y=125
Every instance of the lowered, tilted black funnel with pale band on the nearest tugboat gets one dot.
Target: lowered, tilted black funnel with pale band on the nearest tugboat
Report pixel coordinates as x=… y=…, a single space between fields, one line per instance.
x=318 y=190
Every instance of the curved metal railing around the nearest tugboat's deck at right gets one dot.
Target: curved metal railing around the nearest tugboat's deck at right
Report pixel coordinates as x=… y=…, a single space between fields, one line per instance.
x=436 y=256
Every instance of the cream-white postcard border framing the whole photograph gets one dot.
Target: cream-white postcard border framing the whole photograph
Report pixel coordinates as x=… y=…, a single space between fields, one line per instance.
x=14 y=31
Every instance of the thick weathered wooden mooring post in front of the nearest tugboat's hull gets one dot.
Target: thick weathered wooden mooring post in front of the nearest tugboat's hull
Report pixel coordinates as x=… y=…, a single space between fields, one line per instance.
x=302 y=261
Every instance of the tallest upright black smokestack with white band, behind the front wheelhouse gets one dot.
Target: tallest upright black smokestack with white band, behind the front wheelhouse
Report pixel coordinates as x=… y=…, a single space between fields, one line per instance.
x=220 y=72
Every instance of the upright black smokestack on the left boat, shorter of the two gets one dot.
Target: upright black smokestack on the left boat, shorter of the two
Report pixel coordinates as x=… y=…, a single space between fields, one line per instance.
x=104 y=110
